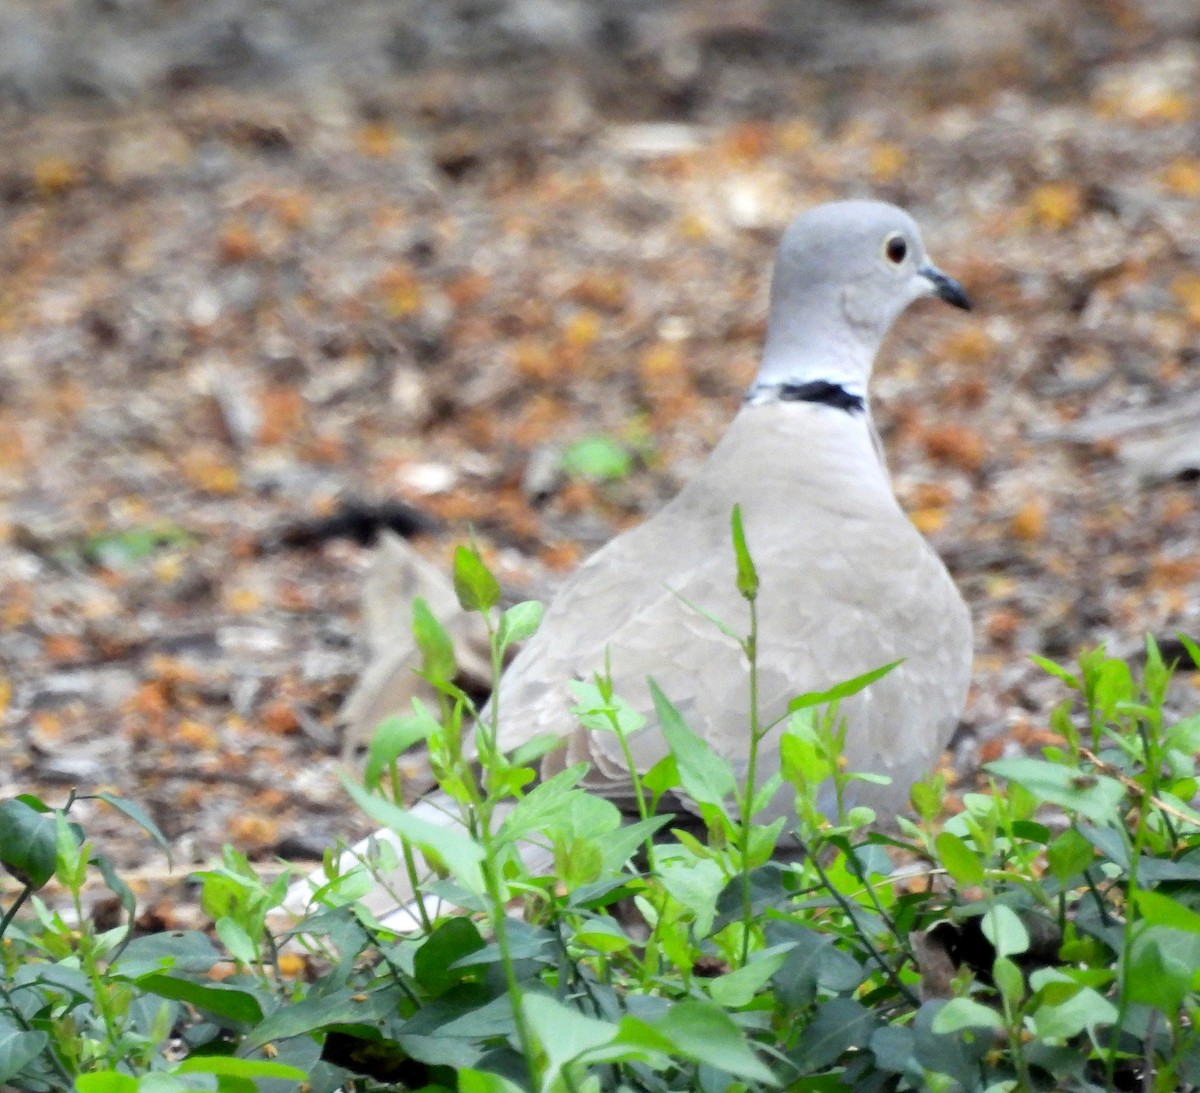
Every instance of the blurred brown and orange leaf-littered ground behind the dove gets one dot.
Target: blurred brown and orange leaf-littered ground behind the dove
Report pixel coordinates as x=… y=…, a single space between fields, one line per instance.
x=279 y=275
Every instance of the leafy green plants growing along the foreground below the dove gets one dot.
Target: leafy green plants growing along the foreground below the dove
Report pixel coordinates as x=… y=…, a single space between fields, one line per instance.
x=673 y=953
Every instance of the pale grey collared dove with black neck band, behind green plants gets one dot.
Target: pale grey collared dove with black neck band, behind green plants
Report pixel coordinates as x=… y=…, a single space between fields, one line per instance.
x=848 y=584
